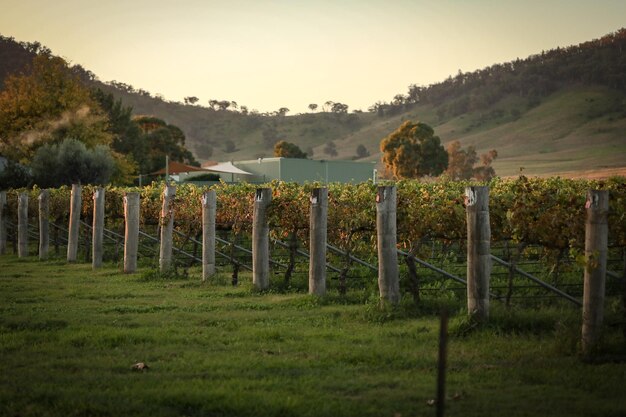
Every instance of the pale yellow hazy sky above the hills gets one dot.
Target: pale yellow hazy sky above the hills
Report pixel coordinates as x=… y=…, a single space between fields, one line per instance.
x=291 y=53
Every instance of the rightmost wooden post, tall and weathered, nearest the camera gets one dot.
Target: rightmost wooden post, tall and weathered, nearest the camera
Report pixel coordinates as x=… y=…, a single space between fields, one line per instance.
x=596 y=248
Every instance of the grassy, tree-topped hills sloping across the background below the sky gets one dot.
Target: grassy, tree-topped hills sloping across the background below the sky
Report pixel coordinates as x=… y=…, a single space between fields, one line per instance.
x=559 y=111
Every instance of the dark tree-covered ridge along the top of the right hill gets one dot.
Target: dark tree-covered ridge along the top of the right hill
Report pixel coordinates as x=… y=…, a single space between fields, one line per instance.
x=597 y=62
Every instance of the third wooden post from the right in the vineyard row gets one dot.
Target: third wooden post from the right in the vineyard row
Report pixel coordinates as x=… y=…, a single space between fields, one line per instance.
x=388 y=275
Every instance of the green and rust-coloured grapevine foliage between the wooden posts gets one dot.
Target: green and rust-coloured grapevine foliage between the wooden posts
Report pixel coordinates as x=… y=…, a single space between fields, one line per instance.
x=537 y=233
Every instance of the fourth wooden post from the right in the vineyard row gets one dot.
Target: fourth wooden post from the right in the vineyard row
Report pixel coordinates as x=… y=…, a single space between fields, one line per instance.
x=318 y=236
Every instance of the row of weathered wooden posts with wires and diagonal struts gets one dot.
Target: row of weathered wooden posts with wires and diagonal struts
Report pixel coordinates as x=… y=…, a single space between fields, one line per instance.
x=323 y=258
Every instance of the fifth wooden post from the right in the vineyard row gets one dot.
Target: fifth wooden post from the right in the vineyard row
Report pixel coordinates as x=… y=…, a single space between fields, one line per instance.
x=261 y=239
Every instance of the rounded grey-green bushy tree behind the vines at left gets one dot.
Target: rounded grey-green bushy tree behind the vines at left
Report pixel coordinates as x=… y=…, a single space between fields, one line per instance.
x=70 y=162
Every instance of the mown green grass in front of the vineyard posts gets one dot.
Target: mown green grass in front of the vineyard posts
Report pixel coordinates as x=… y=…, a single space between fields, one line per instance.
x=68 y=338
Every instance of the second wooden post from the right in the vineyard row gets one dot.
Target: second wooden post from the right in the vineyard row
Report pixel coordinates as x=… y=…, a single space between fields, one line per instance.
x=478 y=252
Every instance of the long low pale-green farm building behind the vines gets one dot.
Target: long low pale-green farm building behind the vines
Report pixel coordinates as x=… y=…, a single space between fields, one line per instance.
x=305 y=170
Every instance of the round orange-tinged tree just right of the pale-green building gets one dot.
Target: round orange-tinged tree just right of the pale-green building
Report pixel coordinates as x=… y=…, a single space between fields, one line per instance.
x=413 y=151
